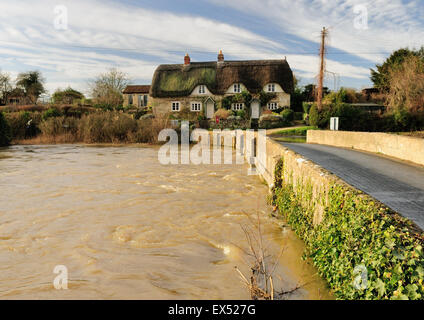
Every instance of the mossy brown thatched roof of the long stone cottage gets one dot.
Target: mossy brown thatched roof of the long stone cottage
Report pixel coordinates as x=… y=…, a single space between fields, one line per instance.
x=178 y=80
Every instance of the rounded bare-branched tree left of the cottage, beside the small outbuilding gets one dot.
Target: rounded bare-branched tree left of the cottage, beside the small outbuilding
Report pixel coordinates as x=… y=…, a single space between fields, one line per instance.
x=107 y=87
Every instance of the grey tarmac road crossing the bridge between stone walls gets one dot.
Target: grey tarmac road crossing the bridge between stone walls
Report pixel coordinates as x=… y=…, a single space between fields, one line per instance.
x=398 y=185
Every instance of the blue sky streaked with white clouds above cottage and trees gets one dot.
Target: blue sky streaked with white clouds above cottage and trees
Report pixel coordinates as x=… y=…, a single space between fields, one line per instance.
x=71 y=42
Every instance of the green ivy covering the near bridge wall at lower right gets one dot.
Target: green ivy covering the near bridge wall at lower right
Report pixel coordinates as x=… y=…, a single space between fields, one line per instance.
x=355 y=231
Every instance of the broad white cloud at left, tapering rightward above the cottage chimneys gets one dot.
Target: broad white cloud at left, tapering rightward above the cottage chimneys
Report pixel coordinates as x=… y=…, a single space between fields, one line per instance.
x=103 y=34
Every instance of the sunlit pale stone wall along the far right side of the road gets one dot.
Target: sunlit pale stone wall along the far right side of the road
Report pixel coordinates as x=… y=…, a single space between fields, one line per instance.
x=397 y=146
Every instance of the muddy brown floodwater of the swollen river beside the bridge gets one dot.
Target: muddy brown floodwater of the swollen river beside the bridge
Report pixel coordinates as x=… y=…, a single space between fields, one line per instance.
x=127 y=227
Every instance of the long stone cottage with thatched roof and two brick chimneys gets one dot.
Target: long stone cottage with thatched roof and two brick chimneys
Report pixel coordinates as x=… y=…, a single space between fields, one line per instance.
x=201 y=86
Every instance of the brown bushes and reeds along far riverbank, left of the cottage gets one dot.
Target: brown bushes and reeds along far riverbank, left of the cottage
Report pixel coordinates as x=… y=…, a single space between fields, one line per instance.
x=51 y=127
